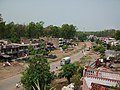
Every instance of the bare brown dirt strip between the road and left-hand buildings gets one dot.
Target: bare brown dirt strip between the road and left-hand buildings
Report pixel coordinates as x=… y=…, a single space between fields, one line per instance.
x=18 y=67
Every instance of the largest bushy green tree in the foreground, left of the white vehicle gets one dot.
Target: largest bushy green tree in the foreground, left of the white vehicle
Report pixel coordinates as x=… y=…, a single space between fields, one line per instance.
x=38 y=71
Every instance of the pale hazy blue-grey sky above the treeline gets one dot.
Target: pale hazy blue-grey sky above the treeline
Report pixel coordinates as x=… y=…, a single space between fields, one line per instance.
x=87 y=15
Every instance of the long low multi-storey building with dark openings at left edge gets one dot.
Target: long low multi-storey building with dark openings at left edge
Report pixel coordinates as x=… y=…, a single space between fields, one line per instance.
x=15 y=50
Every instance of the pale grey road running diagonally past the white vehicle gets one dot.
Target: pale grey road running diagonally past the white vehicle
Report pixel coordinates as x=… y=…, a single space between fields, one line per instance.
x=9 y=83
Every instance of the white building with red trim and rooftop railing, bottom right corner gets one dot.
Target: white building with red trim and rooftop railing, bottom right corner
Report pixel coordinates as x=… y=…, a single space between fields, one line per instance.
x=96 y=79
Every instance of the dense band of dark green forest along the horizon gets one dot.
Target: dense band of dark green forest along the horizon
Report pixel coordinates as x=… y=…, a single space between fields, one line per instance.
x=14 y=31
